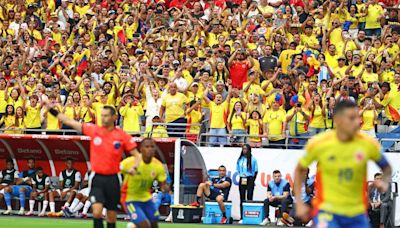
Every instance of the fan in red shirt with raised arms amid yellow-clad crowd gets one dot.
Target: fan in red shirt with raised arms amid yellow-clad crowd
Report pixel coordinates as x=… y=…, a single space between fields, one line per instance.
x=239 y=65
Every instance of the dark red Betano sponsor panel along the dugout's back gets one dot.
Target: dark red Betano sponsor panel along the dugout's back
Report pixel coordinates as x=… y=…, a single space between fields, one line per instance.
x=51 y=151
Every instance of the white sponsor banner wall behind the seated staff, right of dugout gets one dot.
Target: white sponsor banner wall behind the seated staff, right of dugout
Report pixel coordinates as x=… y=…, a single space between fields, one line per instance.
x=269 y=160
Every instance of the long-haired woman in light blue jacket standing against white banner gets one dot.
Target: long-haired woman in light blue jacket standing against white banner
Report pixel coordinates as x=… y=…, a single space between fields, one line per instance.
x=247 y=168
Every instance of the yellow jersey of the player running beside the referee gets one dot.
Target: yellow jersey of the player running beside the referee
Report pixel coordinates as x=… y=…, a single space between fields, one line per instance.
x=138 y=187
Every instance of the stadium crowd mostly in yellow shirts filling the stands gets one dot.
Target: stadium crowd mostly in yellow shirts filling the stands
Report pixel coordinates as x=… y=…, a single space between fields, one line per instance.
x=246 y=67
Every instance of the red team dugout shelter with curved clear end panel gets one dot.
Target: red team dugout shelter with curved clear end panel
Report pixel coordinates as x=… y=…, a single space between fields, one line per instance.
x=182 y=158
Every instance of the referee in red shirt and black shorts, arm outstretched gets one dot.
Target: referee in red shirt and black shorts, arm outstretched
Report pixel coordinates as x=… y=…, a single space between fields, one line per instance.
x=107 y=145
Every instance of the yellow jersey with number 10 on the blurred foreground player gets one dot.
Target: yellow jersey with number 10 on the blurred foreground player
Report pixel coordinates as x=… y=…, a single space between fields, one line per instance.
x=341 y=183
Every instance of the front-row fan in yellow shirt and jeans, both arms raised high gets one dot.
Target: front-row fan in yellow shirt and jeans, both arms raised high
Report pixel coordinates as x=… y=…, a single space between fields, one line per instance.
x=218 y=111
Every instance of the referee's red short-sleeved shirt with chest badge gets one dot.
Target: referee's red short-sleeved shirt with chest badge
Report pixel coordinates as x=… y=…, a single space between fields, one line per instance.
x=107 y=147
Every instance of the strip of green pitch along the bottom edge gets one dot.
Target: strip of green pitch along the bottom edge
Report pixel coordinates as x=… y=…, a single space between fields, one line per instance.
x=34 y=222
